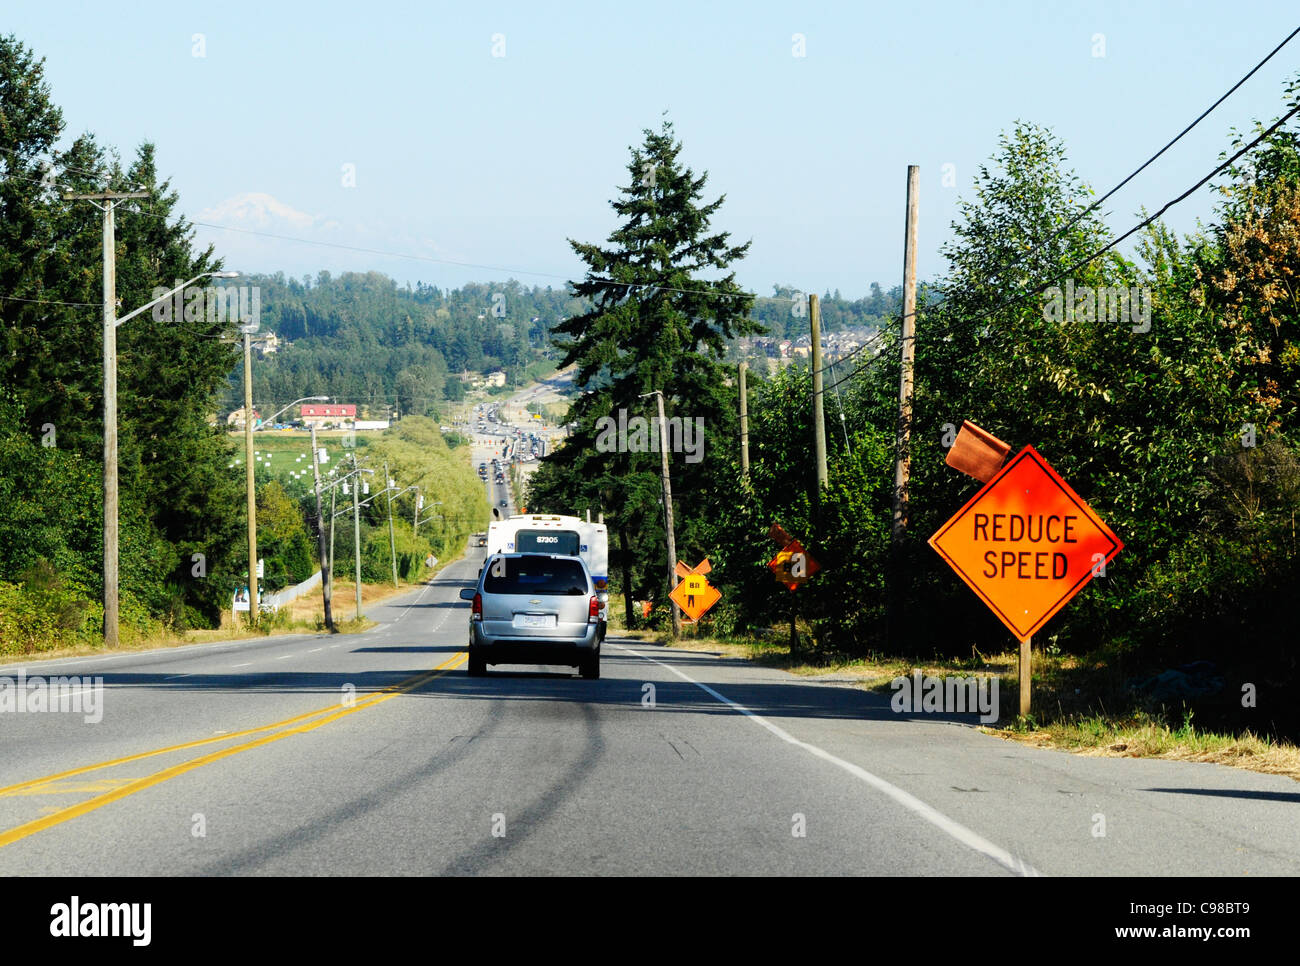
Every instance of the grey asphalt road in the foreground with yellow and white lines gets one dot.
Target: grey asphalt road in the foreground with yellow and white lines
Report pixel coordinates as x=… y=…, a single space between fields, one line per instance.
x=376 y=755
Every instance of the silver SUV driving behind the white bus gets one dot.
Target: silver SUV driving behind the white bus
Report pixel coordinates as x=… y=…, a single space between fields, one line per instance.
x=535 y=609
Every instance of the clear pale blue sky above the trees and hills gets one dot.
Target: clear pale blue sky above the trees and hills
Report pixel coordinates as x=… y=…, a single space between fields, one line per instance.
x=463 y=157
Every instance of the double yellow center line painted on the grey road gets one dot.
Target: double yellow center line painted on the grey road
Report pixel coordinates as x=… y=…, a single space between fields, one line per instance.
x=298 y=725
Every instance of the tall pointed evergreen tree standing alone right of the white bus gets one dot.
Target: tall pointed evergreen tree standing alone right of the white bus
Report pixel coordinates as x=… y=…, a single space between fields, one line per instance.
x=662 y=307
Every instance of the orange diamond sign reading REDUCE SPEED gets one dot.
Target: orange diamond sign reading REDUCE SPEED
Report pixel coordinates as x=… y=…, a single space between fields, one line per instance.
x=1026 y=544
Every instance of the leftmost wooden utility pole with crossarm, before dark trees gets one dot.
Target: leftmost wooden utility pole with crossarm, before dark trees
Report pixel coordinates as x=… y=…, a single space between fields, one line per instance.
x=111 y=597
